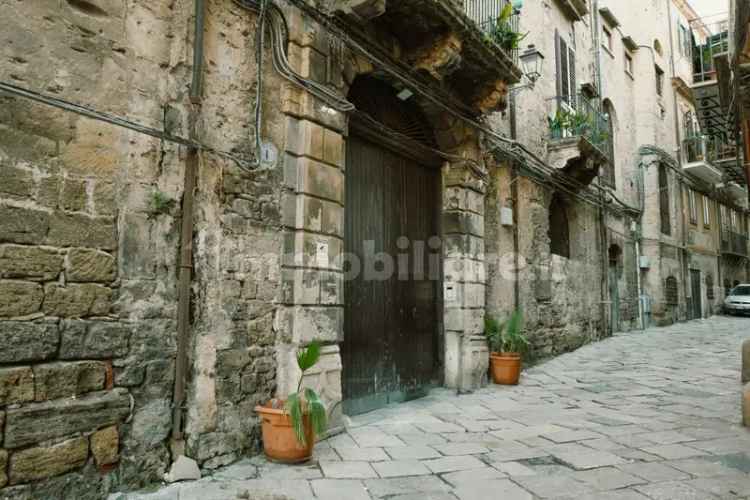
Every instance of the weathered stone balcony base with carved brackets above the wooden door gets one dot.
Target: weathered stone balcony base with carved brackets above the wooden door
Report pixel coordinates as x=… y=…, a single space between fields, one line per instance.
x=440 y=42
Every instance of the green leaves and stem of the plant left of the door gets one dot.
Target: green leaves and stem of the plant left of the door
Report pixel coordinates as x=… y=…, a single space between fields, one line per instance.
x=306 y=403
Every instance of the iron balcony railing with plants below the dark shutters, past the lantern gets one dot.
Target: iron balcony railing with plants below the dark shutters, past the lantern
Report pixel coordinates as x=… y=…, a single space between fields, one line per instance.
x=579 y=116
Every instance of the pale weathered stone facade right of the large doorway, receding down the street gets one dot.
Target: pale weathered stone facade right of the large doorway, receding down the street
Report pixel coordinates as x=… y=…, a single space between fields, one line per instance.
x=656 y=262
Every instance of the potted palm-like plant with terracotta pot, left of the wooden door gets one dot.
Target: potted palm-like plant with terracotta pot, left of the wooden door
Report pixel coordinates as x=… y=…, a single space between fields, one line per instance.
x=290 y=426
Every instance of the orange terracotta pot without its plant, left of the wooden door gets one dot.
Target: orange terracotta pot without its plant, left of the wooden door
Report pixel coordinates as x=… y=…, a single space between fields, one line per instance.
x=279 y=441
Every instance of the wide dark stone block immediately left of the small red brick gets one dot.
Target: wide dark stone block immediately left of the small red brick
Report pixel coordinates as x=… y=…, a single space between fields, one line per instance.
x=64 y=380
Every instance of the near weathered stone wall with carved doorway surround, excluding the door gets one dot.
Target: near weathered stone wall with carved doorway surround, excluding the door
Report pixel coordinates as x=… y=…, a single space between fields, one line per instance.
x=92 y=210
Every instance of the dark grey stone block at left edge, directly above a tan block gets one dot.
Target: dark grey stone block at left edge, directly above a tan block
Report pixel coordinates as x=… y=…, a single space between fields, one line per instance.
x=24 y=341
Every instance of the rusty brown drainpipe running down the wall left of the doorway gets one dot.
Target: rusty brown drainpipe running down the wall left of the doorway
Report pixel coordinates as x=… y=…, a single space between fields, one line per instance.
x=186 y=236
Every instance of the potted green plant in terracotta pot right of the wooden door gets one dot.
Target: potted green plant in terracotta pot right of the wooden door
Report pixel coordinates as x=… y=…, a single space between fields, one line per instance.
x=507 y=345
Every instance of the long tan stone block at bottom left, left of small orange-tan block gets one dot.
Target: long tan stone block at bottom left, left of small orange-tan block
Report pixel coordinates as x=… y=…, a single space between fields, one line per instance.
x=42 y=462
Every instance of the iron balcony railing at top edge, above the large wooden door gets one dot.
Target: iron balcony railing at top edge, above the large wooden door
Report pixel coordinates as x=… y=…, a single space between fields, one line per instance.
x=503 y=30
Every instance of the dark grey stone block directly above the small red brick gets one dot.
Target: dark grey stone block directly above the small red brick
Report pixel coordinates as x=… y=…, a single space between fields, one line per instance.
x=94 y=340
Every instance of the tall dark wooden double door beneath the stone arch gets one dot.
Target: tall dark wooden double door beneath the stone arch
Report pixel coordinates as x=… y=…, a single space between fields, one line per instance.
x=390 y=344
